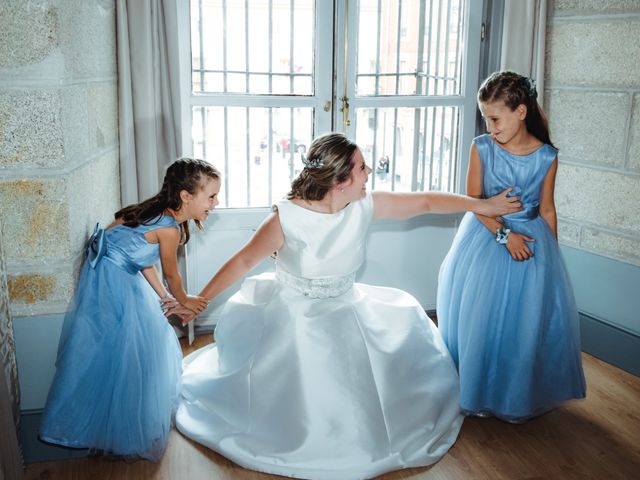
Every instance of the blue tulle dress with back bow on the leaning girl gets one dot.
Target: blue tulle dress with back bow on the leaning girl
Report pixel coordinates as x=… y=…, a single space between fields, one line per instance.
x=118 y=370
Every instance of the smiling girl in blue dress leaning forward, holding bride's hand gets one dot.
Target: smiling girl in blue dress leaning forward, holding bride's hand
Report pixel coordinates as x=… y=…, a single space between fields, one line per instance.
x=118 y=368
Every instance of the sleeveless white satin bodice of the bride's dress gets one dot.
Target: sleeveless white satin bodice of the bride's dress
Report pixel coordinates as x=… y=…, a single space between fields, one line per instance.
x=323 y=245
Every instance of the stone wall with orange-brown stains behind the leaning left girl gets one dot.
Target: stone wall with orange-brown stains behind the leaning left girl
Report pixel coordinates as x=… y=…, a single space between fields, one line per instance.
x=59 y=170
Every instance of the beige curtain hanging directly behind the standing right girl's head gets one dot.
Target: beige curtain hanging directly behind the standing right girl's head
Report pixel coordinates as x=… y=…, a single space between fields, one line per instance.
x=523 y=39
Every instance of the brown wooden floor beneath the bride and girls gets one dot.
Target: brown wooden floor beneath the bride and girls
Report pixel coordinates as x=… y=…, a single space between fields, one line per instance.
x=597 y=438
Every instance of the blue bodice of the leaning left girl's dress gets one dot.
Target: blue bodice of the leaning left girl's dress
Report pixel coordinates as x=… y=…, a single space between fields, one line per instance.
x=129 y=247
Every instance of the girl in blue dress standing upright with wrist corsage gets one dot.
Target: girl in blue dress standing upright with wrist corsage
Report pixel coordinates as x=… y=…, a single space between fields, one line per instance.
x=505 y=305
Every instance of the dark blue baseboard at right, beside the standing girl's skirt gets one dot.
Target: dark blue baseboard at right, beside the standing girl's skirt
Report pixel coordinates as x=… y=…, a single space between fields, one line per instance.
x=610 y=343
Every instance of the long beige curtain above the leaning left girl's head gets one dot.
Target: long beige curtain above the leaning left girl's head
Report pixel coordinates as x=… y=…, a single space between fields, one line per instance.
x=149 y=94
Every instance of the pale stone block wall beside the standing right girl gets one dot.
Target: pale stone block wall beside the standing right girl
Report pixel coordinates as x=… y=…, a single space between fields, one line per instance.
x=592 y=98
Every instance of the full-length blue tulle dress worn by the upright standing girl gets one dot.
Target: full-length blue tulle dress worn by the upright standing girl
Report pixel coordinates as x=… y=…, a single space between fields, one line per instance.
x=511 y=327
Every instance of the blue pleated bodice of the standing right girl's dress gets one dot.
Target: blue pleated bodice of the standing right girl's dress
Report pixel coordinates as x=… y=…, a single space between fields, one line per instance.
x=524 y=173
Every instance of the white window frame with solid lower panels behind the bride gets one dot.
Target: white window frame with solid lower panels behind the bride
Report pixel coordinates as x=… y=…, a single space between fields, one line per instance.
x=231 y=227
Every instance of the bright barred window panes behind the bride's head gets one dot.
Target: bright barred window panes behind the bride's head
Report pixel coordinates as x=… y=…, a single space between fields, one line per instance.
x=266 y=76
